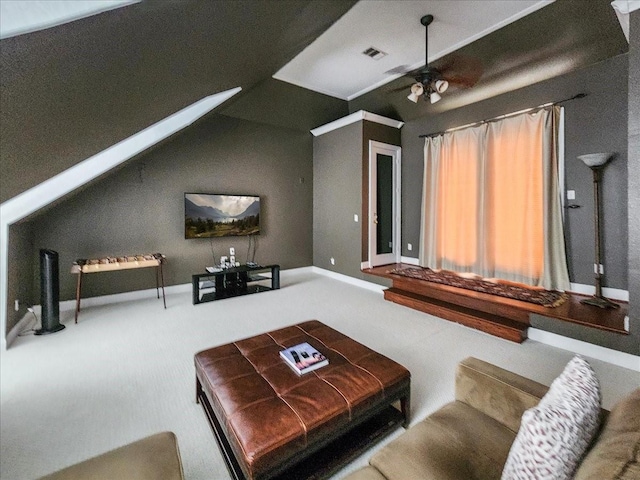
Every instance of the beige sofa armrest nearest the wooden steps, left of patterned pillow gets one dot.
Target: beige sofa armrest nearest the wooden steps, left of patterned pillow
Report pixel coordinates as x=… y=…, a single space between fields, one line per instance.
x=498 y=393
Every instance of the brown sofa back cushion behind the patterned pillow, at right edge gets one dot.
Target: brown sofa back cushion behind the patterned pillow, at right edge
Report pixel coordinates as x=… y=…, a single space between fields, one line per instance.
x=616 y=453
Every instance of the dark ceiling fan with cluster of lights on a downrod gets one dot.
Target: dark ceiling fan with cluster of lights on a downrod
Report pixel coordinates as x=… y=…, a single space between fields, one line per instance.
x=430 y=81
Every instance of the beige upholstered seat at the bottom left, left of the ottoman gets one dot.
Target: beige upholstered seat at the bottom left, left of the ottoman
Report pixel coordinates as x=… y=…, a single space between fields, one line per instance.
x=153 y=458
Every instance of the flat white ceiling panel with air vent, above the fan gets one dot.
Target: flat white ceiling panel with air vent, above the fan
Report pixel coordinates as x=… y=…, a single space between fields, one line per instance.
x=334 y=64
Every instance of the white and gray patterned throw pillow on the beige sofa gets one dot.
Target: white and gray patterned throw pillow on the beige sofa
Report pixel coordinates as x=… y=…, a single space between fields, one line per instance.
x=554 y=435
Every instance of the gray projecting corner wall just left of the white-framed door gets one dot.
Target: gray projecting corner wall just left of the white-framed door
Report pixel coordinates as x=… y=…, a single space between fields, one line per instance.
x=340 y=169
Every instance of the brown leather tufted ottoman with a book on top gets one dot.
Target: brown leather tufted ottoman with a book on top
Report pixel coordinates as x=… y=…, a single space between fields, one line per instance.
x=267 y=418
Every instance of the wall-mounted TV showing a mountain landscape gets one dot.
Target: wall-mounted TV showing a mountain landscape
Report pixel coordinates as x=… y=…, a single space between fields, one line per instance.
x=204 y=221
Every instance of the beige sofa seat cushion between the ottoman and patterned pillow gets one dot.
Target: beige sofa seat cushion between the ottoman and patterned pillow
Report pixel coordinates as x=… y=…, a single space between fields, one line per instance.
x=456 y=442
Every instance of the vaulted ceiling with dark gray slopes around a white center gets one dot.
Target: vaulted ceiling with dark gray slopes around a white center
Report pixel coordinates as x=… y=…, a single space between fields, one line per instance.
x=73 y=90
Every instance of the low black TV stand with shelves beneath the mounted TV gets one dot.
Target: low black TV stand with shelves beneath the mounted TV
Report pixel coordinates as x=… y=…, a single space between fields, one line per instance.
x=233 y=282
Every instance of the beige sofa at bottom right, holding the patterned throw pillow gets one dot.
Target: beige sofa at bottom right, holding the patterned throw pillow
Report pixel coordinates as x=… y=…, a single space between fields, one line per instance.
x=470 y=438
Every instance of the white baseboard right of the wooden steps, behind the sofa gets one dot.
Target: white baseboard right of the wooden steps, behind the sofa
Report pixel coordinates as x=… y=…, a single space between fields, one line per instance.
x=615 y=357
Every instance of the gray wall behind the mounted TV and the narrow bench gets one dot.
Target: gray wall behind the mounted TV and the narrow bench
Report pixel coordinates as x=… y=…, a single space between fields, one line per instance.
x=139 y=209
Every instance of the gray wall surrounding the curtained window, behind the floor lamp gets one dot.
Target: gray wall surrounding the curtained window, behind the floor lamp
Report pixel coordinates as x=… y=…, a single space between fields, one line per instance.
x=594 y=124
